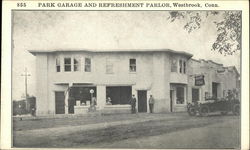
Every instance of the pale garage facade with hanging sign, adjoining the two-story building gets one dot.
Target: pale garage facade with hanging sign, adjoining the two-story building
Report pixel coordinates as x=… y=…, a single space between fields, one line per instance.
x=217 y=80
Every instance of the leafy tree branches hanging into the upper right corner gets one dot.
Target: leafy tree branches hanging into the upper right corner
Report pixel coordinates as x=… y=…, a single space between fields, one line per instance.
x=228 y=39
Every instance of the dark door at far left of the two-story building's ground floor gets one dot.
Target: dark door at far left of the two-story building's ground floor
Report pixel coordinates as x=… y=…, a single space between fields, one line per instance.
x=60 y=104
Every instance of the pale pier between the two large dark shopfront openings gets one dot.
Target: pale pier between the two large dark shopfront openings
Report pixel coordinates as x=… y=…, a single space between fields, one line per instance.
x=101 y=96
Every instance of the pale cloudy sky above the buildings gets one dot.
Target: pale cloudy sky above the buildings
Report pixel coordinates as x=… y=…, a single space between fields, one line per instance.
x=45 y=30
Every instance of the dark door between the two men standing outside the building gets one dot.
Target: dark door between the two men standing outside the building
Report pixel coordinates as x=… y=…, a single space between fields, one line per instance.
x=142 y=101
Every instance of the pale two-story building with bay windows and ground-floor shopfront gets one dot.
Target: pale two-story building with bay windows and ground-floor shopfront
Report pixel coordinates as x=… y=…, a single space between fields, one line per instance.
x=66 y=77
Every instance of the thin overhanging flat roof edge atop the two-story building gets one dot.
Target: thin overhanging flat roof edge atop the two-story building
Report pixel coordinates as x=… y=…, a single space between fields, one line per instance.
x=34 y=52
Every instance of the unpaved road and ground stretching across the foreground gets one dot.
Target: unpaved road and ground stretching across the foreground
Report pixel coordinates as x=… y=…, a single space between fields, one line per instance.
x=172 y=130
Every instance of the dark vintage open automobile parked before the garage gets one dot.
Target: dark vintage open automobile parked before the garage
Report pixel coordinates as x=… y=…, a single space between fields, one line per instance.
x=214 y=105
